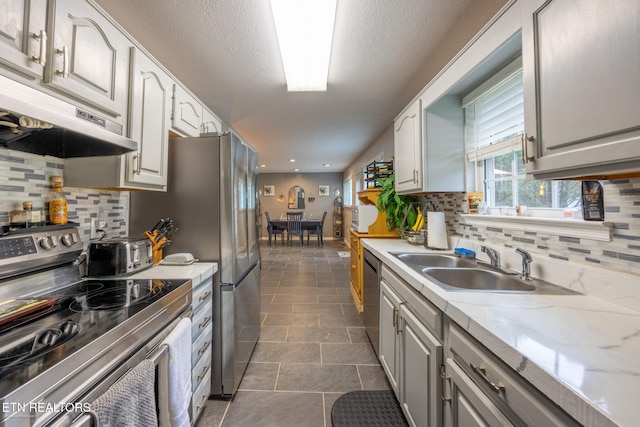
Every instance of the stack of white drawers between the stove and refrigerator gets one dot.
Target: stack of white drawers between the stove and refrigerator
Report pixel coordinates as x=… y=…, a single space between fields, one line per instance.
x=202 y=339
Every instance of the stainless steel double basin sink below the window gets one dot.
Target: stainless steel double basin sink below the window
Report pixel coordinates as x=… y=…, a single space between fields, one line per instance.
x=459 y=274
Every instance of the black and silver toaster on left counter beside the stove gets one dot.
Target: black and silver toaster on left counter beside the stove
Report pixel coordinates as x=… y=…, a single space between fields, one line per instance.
x=120 y=256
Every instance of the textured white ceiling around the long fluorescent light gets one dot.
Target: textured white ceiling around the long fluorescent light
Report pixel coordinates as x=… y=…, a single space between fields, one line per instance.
x=226 y=53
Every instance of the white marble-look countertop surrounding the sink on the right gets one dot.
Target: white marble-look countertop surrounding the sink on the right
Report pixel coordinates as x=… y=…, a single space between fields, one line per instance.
x=581 y=351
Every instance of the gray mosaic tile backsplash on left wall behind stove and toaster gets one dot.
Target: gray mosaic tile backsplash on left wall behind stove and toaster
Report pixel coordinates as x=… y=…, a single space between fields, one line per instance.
x=27 y=177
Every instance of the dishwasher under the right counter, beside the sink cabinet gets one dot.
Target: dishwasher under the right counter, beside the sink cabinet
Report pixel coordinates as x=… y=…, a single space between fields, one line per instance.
x=371 y=278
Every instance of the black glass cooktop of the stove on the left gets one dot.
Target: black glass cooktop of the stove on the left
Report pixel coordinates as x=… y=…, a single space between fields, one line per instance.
x=82 y=314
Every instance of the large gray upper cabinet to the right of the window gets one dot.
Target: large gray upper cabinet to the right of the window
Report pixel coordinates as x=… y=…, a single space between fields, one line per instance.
x=581 y=68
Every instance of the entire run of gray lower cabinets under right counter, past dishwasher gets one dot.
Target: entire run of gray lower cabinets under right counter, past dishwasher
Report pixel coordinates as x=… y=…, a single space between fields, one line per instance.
x=457 y=384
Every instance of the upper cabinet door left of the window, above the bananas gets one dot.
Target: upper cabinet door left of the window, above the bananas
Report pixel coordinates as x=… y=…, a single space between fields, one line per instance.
x=407 y=137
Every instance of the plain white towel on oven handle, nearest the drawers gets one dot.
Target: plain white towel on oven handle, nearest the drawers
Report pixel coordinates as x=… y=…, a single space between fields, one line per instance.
x=179 y=344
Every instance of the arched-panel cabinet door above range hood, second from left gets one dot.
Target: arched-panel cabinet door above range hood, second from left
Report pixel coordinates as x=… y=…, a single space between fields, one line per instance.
x=88 y=57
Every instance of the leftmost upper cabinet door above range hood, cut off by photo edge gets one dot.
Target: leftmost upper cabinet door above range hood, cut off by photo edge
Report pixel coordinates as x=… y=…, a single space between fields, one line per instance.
x=23 y=36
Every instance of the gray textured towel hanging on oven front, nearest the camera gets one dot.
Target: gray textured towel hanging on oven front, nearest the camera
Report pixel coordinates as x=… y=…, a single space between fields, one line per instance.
x=131 y=402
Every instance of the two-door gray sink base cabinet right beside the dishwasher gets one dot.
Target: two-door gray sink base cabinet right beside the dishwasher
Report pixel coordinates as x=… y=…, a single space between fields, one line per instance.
x=410 y=351
